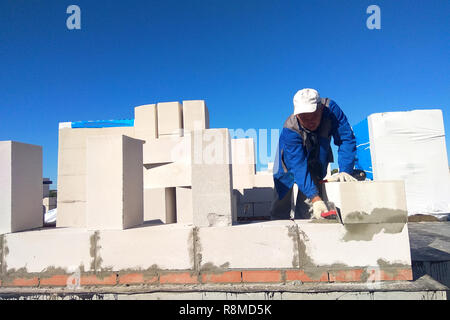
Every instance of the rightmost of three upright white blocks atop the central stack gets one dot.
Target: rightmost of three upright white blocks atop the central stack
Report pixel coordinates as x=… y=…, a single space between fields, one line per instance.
x=195 y=115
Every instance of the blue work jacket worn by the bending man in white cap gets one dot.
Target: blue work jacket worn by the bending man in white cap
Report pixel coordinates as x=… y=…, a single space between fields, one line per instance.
x=291 y=161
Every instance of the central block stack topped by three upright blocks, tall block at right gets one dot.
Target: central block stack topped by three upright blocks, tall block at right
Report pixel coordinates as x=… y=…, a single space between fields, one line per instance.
x=175 y=175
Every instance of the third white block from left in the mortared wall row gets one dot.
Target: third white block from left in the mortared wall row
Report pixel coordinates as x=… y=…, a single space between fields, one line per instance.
x=258 y=245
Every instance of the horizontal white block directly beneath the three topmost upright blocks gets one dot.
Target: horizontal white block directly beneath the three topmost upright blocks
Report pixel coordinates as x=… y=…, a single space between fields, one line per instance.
x=167 y=149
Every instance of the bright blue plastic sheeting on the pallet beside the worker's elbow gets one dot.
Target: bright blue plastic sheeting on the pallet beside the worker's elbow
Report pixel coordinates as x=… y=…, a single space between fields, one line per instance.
x=363 y=156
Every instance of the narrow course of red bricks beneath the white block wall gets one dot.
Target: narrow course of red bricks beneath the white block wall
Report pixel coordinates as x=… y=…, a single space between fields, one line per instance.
x=231 y=276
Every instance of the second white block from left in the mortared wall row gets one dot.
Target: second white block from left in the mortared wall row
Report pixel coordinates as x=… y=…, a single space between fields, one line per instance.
x=161 y=246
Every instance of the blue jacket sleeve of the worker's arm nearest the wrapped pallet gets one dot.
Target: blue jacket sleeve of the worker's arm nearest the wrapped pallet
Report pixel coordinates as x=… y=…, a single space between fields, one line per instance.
x=343 y=138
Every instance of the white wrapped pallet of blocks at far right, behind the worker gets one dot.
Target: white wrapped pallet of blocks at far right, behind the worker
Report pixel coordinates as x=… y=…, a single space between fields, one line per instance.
x=410 y=146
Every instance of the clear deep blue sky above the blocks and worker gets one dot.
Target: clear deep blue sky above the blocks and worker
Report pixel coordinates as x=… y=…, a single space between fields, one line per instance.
x=246 y=58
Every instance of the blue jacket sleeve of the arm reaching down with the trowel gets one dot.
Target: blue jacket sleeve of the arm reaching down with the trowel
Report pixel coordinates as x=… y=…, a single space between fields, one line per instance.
x=295 y=159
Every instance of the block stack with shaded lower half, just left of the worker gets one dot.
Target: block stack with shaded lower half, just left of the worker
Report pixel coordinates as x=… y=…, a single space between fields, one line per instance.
x=253 y=191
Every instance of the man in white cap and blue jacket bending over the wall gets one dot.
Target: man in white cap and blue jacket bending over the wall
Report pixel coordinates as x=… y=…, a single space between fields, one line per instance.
x=304 y=152
